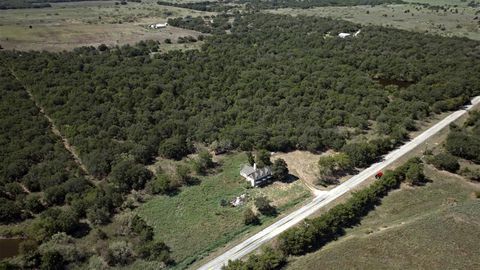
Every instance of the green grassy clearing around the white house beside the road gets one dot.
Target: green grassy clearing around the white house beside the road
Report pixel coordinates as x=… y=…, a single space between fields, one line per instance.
x=193 y=223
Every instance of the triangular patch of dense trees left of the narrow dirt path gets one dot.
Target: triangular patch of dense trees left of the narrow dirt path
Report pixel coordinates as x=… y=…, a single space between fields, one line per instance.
x=33 y=158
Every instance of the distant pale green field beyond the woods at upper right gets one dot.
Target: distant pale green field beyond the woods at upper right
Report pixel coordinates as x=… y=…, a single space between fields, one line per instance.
x=408 y=17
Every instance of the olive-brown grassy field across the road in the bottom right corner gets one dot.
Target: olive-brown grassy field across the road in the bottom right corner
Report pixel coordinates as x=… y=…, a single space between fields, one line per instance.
x=431 y=227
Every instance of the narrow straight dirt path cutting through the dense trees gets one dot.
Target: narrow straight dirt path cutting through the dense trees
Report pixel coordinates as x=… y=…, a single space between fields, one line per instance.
x=57 y=132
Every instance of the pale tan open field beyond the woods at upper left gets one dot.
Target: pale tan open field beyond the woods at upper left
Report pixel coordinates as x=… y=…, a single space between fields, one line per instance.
x=69 y=25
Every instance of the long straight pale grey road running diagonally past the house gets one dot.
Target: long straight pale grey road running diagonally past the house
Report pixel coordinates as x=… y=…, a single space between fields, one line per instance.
x=323 y=199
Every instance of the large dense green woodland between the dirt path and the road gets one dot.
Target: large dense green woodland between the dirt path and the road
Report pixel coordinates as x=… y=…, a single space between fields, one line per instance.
x=123 y=103
